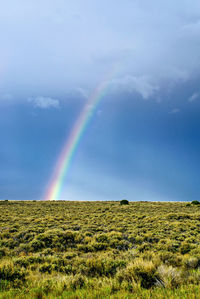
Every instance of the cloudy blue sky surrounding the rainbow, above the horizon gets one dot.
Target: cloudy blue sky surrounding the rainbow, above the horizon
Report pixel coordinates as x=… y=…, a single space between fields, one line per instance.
x=142 y=141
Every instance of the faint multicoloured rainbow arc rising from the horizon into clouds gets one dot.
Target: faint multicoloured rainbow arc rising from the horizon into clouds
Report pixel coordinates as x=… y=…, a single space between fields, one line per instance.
x=64 y=160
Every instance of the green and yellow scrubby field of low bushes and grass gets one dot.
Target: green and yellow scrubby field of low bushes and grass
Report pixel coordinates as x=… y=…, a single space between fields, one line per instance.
x=99 y=250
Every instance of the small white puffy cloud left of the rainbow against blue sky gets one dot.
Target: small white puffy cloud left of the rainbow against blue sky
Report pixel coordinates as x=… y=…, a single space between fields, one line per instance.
x=44 y=102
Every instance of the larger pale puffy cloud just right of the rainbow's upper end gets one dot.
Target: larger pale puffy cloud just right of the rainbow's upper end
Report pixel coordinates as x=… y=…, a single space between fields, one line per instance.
x=141 y=85
